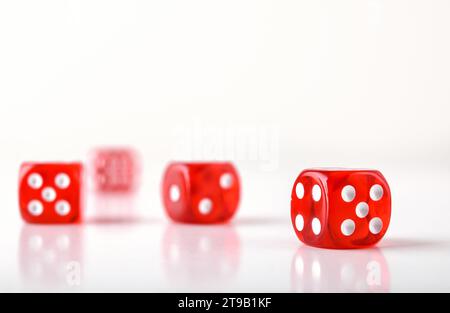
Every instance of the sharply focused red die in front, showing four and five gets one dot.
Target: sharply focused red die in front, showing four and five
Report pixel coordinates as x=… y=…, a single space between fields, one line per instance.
x=340 y=209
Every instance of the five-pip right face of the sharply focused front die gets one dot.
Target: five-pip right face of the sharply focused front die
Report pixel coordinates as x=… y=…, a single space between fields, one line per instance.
x=360 y=208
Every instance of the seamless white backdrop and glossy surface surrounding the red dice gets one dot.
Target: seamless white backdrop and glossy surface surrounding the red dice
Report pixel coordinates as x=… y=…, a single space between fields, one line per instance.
x=276 y=86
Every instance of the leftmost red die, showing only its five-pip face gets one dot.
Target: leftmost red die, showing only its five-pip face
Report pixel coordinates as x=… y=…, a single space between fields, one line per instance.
x=50 y=193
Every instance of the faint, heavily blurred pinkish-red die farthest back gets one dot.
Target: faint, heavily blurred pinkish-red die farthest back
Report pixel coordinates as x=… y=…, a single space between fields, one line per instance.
x=115 y=169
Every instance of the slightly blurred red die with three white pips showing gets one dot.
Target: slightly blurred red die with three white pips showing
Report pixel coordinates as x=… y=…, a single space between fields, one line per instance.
x=202 y=193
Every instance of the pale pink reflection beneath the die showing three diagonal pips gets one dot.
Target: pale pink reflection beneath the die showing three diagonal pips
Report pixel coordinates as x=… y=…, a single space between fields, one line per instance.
x=200 y=256
